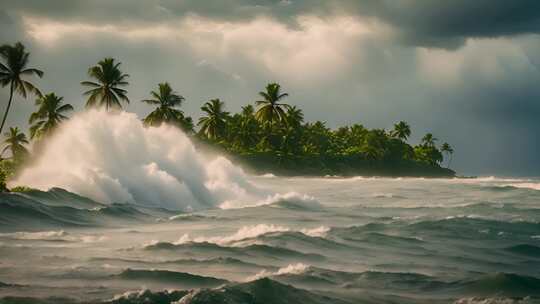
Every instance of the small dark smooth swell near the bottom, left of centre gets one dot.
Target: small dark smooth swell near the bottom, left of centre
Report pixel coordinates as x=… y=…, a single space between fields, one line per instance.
x=164 y=276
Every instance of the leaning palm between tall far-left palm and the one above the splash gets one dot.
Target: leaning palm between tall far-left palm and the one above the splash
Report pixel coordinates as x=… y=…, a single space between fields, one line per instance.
x=48 y=116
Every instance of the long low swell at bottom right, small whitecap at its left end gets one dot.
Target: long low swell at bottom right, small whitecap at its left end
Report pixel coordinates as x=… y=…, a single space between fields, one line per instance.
x=501 y=284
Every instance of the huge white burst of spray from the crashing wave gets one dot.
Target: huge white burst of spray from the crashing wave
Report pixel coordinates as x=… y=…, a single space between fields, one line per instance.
x=113 y=158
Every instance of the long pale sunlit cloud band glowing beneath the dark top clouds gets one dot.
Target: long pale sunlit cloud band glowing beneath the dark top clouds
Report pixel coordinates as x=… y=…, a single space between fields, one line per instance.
x=315 y=49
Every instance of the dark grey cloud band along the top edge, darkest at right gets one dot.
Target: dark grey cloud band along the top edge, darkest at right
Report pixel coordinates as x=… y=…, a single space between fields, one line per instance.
x=445 y=24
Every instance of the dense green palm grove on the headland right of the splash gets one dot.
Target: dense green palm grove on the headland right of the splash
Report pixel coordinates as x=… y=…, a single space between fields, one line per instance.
x=275 y=138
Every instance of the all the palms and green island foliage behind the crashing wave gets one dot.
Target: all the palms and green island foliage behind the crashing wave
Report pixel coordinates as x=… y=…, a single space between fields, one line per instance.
x=268 y=136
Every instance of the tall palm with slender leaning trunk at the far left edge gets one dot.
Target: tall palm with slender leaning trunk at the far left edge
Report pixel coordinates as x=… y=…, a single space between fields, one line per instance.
x=12 y=71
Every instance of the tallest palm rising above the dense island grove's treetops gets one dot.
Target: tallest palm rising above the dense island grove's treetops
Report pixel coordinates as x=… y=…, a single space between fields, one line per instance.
x=270 y=110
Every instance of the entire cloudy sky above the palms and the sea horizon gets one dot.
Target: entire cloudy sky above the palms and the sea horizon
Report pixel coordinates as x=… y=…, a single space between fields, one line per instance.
x=468 y=71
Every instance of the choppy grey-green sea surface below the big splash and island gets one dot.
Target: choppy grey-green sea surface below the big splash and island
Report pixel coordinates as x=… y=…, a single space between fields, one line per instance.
x=355 y=240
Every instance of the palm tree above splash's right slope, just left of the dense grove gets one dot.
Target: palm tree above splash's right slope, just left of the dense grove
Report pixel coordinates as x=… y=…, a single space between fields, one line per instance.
x=166 y=100
